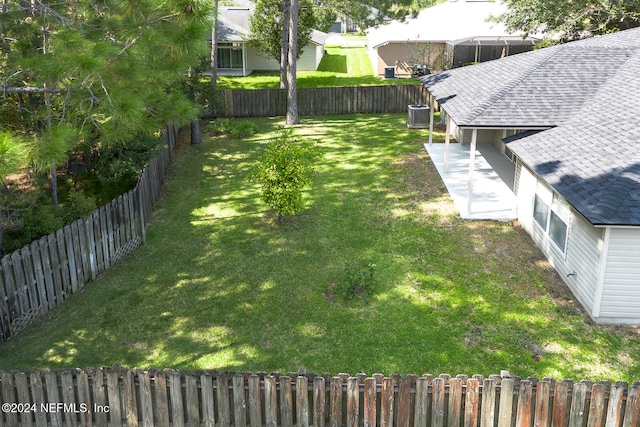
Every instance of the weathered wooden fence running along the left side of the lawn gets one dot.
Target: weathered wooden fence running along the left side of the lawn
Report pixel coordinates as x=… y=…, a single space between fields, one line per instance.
x=38 y=277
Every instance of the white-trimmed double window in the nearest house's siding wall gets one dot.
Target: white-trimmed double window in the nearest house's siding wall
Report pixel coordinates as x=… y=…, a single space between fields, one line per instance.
x=552 y=214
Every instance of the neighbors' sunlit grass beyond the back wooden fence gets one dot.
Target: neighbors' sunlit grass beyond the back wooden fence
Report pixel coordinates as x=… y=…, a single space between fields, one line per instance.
x=340 y=66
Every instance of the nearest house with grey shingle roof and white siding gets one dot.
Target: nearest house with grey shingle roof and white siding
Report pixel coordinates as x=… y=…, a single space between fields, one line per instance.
x=571 y=118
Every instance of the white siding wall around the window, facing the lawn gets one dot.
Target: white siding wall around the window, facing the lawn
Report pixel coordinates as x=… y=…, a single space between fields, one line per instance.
x=579 y=266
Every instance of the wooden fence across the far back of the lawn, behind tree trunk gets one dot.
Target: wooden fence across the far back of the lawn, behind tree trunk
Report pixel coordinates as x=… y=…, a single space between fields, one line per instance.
x=324 y=101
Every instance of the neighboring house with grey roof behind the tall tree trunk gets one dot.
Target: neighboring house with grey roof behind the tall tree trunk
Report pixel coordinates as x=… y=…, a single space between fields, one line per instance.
x=237 y=57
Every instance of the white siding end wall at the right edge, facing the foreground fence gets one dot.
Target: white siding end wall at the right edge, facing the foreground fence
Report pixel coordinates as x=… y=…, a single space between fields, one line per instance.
x=621 y=286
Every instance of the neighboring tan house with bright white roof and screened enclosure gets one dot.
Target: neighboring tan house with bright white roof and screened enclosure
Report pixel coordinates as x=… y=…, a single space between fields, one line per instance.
x=447 y=35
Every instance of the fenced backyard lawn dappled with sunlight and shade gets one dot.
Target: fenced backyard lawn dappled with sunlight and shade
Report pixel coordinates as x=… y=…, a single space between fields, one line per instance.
x=221 y=285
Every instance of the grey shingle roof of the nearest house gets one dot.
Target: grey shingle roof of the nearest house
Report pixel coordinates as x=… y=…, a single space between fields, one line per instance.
x=587 y=94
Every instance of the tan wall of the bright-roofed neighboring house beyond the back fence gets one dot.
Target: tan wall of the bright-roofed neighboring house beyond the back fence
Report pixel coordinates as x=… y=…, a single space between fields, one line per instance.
x=404 y=55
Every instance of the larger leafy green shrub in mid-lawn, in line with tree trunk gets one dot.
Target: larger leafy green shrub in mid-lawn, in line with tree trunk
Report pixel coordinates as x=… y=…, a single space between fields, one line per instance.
x=284 y=170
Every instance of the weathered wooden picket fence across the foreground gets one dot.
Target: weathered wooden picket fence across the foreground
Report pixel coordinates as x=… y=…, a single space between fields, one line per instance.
x=118 y=396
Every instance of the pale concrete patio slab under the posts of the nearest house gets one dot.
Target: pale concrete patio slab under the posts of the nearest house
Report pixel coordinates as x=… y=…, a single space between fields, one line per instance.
x=492 y=180
